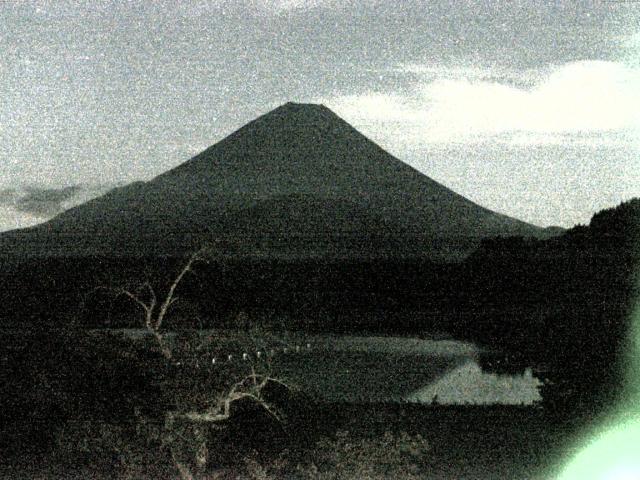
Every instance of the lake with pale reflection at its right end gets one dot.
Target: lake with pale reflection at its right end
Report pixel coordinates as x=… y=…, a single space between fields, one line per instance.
x=373 y=368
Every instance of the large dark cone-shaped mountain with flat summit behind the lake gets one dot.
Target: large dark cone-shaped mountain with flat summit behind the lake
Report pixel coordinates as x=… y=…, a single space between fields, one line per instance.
x=296 y=182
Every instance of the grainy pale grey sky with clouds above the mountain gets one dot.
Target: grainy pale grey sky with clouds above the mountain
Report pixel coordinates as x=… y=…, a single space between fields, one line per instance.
x=529 y=108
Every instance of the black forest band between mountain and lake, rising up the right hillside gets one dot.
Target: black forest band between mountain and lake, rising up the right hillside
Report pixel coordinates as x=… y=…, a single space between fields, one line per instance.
x=562 y=302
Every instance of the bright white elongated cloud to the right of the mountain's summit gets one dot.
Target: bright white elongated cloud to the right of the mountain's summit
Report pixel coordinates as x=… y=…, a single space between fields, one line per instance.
x=457 y=105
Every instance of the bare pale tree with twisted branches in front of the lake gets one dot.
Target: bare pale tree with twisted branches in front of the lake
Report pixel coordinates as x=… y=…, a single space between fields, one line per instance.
x=186 y=424
